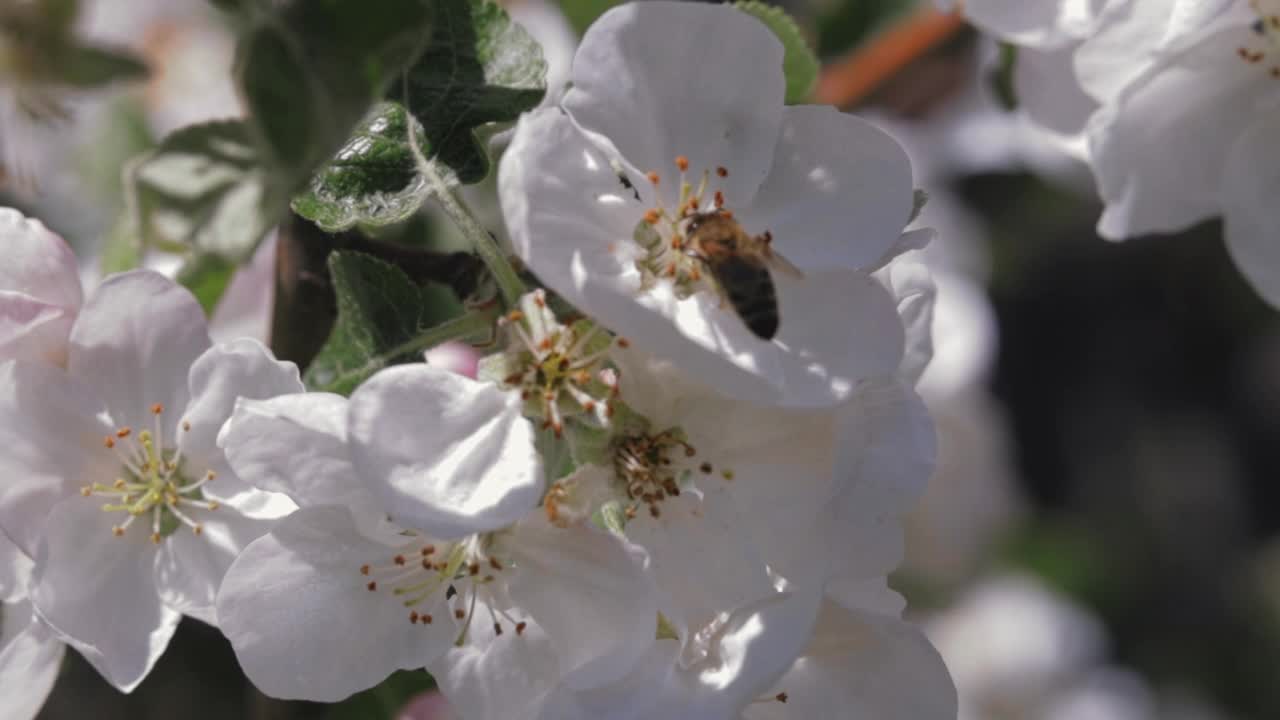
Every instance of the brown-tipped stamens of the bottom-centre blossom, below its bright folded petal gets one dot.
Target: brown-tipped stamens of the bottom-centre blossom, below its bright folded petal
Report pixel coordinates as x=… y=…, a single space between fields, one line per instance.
x=463 y=572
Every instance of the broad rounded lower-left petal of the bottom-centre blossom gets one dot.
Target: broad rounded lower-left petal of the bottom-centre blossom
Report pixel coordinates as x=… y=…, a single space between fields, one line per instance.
x=301 y=619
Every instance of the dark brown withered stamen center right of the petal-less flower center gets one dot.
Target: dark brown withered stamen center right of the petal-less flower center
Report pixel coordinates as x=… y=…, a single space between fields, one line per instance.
x=656 y=467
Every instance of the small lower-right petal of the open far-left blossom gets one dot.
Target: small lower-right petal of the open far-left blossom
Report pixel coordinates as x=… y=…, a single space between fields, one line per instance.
x=190 y=568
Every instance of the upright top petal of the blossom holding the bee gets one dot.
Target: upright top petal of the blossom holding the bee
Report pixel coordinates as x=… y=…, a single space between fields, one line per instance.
x=660 y=80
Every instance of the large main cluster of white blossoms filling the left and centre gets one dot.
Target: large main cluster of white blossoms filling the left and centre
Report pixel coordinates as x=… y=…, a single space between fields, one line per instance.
x=682 y=505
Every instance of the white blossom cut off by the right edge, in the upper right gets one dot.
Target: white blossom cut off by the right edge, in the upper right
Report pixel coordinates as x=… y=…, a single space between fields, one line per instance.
x=1191 y=139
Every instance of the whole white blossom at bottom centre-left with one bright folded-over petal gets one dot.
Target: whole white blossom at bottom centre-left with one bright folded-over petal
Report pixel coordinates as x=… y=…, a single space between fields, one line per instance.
x=419 y=535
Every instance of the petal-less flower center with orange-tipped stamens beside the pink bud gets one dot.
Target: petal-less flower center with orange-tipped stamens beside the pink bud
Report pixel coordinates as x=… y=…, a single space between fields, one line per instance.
x=559 y=370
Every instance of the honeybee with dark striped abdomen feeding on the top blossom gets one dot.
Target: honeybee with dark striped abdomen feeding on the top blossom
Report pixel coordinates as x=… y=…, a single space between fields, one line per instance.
x=740 y=265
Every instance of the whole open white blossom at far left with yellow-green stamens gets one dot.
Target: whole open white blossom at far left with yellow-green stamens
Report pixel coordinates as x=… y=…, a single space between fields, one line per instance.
x=116 y=487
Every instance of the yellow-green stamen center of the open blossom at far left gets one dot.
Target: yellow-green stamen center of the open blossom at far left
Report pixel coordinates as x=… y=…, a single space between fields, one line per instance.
x=153 y=482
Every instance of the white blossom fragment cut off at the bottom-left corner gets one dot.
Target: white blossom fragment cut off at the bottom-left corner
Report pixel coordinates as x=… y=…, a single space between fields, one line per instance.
x=30 y=654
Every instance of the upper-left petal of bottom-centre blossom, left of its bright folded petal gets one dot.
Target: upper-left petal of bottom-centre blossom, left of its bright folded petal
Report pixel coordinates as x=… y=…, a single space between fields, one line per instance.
x=295 y=445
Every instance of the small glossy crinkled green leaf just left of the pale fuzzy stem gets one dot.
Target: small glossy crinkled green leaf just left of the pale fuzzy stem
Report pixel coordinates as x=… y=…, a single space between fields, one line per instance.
x=373 y=181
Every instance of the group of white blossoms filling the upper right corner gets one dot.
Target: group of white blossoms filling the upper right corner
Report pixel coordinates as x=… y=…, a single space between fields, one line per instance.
x=1176 y=101
